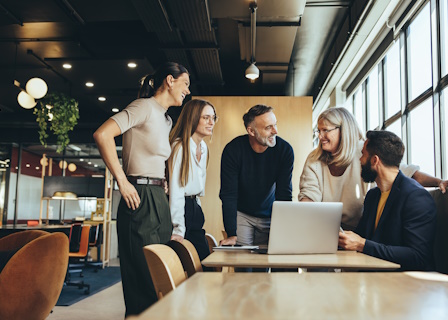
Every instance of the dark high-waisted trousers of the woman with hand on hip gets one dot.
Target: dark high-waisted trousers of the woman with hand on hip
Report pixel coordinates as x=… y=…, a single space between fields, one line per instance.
x=150 y=223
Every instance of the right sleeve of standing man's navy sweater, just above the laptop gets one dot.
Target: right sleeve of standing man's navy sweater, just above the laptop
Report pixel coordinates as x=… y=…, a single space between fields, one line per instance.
x=283 y=188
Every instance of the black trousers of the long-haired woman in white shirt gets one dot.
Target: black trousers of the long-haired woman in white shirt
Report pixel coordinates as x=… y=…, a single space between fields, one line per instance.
x=194 y=222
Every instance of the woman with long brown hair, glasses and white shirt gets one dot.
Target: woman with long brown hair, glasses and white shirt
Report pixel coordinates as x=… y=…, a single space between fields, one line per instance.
x=187 y=165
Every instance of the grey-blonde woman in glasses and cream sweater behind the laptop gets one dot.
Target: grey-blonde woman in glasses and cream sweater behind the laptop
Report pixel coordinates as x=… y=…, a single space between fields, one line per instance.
x=332 y=172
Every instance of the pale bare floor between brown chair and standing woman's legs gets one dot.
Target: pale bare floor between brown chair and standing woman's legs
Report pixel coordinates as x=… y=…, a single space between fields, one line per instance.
x=107 y=304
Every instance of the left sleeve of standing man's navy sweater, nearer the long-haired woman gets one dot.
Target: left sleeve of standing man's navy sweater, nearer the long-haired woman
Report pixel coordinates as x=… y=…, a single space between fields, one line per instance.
x=229 y=189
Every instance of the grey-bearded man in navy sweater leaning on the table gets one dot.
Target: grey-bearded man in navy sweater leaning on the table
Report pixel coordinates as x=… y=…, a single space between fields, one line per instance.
x=256 y=170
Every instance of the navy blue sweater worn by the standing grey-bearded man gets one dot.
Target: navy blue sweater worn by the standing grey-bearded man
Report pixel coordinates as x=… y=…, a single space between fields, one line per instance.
x=250 y=181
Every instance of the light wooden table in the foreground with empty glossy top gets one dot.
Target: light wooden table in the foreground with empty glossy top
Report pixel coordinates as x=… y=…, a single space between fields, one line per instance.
x=382 y=295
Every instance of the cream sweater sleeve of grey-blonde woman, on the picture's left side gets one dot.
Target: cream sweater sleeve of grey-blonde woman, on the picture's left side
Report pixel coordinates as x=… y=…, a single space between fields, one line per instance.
x=310 y=181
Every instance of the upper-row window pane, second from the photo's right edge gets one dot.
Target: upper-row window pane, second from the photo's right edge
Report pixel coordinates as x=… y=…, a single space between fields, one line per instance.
x=419 y=54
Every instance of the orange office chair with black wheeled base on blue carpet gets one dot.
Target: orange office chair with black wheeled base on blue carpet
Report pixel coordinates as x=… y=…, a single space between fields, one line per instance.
x=77 y=256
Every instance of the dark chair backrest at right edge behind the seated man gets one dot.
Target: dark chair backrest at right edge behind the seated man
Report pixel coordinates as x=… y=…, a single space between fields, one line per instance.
x=441 y=238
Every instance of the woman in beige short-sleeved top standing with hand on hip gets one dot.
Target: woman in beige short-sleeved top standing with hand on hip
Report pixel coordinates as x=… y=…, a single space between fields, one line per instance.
x=143 y=214
